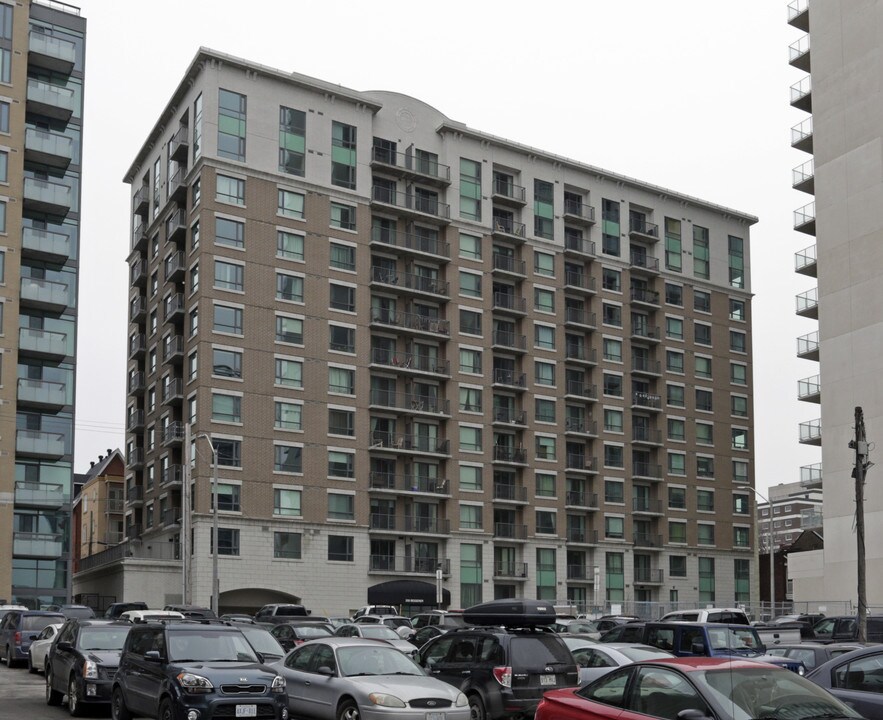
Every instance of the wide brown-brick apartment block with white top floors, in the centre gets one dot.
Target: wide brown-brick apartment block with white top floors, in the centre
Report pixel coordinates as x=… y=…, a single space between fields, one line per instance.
x=416 y=348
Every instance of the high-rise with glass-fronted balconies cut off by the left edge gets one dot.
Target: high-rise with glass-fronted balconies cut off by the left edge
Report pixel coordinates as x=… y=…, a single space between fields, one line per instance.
x=42 y=45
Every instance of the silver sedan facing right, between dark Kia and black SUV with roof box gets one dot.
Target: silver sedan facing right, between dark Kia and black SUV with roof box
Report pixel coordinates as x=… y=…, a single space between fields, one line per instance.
x=360 y=679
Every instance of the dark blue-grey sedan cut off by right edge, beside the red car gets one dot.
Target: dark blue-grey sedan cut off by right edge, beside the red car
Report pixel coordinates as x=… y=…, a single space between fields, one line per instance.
x=856 y=678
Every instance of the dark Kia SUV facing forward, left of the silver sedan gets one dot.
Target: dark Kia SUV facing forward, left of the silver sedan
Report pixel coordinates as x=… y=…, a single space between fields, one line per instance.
x=183 y=670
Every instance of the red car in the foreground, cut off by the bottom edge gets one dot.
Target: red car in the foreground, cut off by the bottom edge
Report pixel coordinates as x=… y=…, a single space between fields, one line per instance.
x=721 y=688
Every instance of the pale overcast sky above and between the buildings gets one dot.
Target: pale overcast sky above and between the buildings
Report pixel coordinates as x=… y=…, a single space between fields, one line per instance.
x=687 y=94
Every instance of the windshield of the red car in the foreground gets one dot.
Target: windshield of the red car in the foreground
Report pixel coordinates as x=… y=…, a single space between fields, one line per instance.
x=769 y=692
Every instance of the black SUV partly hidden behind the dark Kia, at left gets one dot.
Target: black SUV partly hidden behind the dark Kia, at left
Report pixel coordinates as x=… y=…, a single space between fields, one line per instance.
x=82 y=661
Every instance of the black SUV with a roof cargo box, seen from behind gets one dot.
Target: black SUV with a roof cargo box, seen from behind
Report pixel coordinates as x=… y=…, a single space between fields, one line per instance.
x=503 y=671
